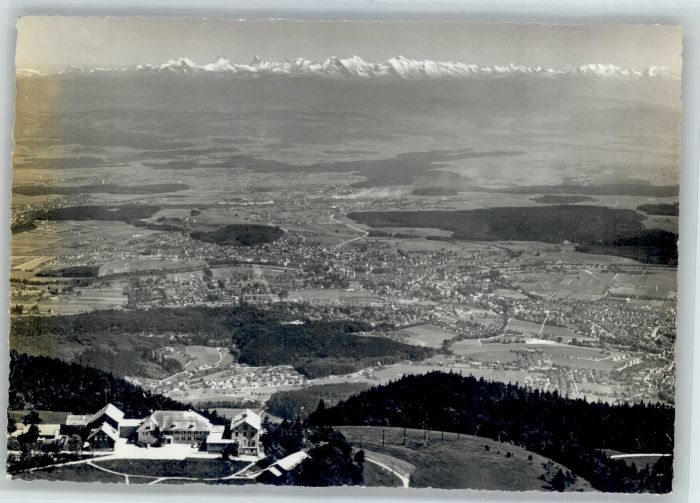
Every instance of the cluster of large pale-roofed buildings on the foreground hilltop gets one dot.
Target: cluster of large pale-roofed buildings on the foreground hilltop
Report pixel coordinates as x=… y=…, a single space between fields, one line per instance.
x=104 y=429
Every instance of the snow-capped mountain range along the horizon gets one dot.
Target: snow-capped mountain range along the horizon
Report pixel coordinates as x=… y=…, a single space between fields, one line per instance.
x=355 y=67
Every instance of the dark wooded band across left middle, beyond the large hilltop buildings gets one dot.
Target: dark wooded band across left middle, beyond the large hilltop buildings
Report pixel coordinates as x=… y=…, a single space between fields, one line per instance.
x=256 y=336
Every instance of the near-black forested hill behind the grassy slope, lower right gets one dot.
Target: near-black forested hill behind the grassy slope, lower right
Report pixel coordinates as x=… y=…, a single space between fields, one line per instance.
x=570 y=432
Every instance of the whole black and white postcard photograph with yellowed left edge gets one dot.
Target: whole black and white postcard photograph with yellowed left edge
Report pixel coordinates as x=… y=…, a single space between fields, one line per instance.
x=406 y=254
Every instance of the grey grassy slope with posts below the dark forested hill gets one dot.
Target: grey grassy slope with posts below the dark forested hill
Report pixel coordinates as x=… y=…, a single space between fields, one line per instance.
x=459 y=463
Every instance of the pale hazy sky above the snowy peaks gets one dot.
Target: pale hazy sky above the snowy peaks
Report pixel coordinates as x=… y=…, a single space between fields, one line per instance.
x=51 y=43
